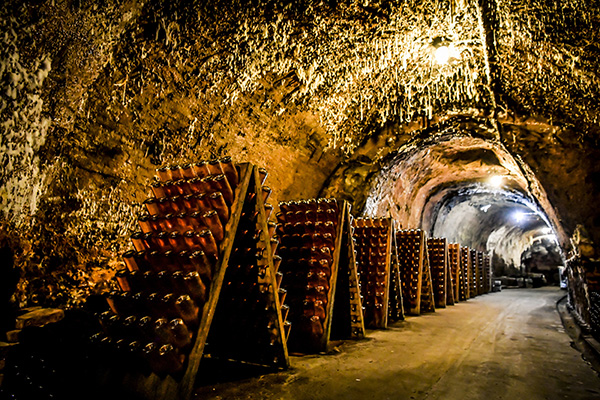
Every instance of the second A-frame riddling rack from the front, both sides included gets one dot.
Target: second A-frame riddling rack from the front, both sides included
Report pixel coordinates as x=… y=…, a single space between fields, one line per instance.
x=319 y=273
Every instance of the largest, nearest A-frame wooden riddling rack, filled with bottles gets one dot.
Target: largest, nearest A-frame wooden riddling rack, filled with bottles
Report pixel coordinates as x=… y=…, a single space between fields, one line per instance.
x=202 y=268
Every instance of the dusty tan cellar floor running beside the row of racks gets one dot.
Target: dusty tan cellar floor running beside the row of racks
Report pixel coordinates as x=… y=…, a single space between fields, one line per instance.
x=507 y=345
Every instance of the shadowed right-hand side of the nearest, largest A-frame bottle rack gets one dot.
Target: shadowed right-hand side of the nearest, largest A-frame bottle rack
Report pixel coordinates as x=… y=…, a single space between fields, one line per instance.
x=246 y=325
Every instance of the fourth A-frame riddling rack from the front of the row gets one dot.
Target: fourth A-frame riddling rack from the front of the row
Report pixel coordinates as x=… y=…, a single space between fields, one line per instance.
x=415 y=276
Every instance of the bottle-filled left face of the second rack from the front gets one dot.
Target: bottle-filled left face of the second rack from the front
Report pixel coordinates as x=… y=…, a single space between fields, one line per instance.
x=308 y=231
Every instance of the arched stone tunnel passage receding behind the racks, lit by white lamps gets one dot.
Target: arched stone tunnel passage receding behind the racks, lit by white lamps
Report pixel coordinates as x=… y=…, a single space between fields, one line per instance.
x=471 y=191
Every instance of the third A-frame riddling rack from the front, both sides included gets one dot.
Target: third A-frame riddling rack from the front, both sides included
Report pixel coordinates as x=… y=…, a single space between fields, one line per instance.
x=378 y=271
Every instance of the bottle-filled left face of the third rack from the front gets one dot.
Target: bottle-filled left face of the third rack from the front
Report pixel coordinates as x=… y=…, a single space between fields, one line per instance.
x=373 y=260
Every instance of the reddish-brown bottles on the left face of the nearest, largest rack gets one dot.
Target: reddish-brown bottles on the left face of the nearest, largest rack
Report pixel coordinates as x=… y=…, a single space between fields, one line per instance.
x=155 y=314
